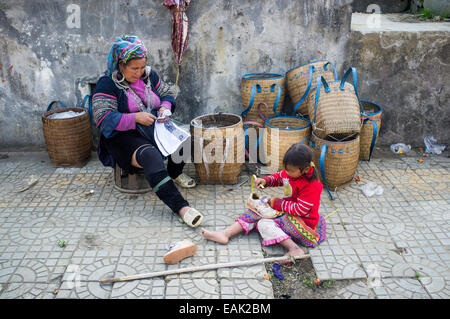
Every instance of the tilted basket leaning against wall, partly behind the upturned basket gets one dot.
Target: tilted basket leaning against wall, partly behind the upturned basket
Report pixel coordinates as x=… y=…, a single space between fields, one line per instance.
x=302 y=79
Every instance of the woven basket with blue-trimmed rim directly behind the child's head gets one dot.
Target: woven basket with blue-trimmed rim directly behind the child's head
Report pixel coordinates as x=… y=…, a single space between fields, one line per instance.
x=282 y=132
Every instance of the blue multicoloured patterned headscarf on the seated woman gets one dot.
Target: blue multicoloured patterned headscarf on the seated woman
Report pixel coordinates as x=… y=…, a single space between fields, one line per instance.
x=123 y=50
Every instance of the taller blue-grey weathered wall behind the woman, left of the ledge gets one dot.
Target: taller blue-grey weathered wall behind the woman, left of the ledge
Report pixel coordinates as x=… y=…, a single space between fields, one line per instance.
x=43 y=59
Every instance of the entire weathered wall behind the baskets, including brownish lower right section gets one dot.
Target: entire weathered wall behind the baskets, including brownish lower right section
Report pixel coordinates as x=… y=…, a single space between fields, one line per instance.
x=43 y=57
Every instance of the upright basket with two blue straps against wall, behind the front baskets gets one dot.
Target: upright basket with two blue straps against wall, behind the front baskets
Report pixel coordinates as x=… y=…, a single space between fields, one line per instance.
x=259 y=88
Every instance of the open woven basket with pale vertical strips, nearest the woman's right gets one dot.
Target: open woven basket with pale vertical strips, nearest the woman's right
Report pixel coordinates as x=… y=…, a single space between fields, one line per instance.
x=218 y=147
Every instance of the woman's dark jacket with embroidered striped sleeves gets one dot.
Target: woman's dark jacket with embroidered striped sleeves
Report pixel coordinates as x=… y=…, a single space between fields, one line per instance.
x=110 y=102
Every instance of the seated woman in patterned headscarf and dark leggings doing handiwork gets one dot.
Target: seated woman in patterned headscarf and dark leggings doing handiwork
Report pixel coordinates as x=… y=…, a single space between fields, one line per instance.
x=126 y=102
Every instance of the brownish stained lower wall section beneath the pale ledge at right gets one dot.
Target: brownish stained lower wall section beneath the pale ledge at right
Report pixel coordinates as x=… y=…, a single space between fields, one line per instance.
x=408 y=74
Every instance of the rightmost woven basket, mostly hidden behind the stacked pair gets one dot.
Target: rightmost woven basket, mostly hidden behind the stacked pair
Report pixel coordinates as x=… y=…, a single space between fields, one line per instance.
x=371 y=124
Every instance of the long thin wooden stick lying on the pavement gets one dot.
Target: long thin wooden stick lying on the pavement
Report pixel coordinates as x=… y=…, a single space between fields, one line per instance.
x=202 y=268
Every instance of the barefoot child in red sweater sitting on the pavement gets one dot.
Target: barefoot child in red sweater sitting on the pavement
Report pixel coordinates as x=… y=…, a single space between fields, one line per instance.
x=300 y=221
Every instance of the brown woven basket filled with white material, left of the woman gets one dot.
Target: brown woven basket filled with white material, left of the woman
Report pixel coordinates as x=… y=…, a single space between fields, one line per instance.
x=68 y=141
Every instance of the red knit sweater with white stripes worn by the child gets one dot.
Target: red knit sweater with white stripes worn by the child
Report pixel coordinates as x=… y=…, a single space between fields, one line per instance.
x=302 y=196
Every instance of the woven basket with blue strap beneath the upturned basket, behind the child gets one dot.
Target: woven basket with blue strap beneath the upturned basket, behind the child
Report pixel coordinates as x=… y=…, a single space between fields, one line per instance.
x=337 y=160
